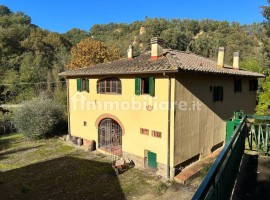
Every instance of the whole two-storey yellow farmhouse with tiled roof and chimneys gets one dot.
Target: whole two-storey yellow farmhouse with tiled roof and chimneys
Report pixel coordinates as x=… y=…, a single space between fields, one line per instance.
x=163 y=109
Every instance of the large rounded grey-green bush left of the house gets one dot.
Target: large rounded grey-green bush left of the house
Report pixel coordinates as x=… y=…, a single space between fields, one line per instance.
x=39 y=118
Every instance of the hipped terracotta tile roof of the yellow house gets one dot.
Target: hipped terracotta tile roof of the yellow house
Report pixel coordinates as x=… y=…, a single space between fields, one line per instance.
x=171 y=61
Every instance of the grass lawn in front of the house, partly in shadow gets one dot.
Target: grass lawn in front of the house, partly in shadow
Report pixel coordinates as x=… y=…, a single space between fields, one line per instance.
x=50 y=169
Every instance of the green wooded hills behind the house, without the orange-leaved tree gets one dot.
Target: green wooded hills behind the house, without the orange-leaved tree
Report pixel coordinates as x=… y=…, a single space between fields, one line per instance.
x=31 y=58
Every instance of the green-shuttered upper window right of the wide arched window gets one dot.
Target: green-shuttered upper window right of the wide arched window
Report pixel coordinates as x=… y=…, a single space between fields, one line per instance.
x=145 y=86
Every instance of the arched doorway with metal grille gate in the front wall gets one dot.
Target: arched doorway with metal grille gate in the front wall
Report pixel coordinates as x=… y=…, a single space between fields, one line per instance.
x=110 y=136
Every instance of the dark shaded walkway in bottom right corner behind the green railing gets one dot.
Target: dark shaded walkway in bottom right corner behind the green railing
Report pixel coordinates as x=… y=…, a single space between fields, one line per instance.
x=254 y=178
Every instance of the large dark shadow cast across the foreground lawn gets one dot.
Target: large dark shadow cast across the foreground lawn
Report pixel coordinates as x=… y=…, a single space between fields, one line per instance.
x=62 y=178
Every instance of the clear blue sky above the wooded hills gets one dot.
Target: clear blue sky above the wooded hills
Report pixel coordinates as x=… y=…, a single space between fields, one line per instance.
x=62 y=15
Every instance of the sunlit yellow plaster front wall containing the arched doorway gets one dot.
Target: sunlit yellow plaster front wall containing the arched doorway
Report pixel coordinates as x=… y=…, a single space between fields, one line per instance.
x=88 y=107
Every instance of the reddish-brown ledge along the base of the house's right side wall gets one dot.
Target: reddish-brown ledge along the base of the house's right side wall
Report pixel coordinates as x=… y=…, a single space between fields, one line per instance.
x=191 y=171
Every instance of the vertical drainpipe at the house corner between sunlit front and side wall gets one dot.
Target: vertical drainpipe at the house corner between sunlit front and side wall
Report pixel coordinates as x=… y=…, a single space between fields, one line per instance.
x=169 y=126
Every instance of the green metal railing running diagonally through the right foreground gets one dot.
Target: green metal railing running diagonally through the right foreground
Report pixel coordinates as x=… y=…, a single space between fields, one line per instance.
x=220 y=180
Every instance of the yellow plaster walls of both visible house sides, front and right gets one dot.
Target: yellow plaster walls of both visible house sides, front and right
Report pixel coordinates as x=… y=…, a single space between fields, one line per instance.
x=191 y=132
